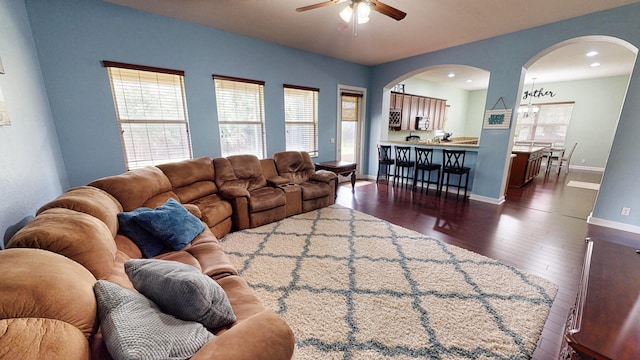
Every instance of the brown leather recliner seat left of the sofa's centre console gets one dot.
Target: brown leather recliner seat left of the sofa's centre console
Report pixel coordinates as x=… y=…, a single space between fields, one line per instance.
x=241 y=182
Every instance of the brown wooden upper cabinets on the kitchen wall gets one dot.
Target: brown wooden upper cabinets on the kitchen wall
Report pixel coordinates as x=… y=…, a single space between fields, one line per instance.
x=413 y=112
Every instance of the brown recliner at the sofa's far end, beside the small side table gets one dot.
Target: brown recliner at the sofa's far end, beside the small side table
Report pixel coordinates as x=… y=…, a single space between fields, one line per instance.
x=296 y=167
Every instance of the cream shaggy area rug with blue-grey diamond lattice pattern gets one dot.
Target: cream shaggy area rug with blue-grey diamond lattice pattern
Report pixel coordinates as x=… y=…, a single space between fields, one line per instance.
x=352 y=286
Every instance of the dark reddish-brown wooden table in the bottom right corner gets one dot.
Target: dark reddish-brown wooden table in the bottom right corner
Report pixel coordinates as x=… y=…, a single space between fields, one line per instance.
x=605 y=322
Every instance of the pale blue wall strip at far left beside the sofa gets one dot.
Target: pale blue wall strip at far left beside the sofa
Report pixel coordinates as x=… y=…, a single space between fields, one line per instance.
x=31 y=167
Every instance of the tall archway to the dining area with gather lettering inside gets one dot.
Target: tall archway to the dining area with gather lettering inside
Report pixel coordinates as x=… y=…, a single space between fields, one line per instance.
x=572 y=96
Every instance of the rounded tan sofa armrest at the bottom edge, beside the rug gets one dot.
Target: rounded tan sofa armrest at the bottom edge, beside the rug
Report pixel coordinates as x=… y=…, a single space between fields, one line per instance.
x=264 y=336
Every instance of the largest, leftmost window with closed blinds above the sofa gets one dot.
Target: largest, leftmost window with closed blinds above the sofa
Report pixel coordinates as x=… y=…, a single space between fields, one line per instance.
x=151 y=113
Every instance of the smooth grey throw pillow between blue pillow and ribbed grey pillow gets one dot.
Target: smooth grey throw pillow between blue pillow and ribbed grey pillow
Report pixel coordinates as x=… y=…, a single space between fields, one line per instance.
x=182 y=291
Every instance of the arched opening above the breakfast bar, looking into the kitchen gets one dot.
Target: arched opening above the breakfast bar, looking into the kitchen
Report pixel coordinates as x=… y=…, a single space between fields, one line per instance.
x=434 y=101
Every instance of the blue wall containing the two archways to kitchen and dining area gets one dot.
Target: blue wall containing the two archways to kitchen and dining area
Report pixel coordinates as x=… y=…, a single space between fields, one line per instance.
x=505 y=57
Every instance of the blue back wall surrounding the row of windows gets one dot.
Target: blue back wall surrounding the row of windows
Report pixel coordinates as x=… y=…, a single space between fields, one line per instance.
x=73 y=36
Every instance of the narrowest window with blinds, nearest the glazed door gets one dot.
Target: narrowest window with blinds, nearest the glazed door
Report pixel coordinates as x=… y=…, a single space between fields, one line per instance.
x=301 y=118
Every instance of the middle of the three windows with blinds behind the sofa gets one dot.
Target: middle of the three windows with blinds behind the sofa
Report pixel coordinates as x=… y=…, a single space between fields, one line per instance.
x=240 y=105
